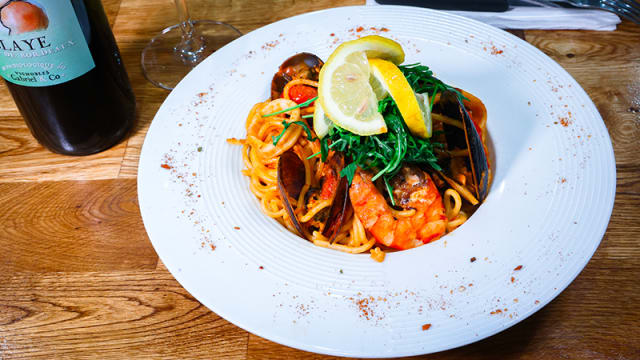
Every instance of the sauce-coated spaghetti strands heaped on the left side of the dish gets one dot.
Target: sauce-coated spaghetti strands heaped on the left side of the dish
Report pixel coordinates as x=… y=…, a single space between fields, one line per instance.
x=260 y=158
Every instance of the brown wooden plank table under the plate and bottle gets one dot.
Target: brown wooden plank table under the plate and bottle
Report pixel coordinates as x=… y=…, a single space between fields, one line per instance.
x=80 y=279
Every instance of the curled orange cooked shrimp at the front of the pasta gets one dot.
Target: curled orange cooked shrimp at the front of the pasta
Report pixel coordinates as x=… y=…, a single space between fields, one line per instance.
x=413 y=189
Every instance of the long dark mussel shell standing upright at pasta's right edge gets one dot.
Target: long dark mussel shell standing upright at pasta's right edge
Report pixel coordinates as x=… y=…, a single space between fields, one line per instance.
x=452 y=106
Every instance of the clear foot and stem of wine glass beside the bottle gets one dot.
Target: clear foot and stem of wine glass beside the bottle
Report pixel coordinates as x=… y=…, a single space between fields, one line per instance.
x=179 y=48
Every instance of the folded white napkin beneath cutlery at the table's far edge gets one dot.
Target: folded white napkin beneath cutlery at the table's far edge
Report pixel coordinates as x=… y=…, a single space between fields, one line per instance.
x=545 y=18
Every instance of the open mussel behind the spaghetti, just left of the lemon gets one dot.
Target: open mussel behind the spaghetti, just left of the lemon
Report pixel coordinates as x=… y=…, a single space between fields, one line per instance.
x=300 y=66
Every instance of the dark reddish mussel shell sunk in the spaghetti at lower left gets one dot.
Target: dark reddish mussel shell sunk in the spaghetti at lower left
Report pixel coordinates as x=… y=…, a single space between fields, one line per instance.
x=291 y=179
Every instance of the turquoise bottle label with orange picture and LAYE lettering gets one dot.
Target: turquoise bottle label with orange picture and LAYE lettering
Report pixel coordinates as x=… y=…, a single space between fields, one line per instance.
x=42 y=43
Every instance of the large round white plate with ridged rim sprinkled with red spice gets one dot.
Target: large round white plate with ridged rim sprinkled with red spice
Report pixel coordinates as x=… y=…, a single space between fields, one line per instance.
x=547 y=209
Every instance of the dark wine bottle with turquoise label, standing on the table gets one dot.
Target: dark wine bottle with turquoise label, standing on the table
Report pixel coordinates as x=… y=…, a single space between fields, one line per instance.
x=63 y=68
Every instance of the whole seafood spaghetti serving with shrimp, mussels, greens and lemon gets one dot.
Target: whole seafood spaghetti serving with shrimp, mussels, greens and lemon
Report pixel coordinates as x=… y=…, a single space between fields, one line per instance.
x=363 y=153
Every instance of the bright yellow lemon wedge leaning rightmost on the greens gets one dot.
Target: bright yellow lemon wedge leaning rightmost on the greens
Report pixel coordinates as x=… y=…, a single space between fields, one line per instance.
x=415 y=114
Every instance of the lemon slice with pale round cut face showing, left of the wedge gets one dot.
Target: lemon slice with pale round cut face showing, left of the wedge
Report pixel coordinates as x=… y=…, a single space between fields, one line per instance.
x=344 y=90
